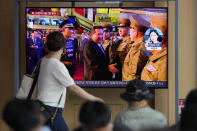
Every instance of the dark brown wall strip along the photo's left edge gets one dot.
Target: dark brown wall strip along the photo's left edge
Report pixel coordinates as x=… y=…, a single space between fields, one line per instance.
x=6 y=54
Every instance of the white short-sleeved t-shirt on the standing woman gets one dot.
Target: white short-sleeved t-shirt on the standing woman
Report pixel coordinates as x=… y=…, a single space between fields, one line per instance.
x=52 y=82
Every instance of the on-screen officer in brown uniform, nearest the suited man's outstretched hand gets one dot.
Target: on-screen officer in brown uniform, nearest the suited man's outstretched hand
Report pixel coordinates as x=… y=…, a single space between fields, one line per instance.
x=122 y=45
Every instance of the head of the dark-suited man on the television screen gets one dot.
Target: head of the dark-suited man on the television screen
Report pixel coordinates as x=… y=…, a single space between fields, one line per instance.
x=97 y=34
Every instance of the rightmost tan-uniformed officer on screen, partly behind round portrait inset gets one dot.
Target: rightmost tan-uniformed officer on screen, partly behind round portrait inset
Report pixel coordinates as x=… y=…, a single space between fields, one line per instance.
x=156 y=67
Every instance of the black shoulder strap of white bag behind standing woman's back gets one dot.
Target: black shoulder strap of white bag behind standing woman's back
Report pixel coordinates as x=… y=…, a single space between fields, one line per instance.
x=36 y=73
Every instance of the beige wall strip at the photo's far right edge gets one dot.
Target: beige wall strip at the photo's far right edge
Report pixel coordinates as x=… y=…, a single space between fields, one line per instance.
x=187 y=46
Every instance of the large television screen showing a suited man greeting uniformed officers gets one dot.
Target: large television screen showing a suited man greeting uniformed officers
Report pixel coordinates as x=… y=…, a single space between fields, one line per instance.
x=125 y=44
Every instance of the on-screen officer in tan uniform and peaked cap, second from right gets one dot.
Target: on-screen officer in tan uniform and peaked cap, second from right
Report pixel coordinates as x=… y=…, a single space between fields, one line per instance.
x=136 y=57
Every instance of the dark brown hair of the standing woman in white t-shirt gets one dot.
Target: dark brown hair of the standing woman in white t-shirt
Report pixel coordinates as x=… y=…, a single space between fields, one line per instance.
x=55 y=41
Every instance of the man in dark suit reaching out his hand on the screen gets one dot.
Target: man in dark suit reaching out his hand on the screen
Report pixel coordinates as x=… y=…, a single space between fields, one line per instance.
x=96 y=61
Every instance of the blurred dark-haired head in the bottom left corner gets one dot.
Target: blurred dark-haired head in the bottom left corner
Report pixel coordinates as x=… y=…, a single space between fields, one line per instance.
x=21 y=115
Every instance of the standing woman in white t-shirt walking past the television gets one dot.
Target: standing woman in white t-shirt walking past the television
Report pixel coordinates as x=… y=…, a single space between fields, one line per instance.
x=54 y=80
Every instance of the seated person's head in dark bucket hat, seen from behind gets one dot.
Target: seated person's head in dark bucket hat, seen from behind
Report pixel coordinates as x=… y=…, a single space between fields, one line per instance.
x=136 y=93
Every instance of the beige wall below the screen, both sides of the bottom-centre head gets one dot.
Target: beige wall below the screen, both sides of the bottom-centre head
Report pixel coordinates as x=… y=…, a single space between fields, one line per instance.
x=111 y=97
